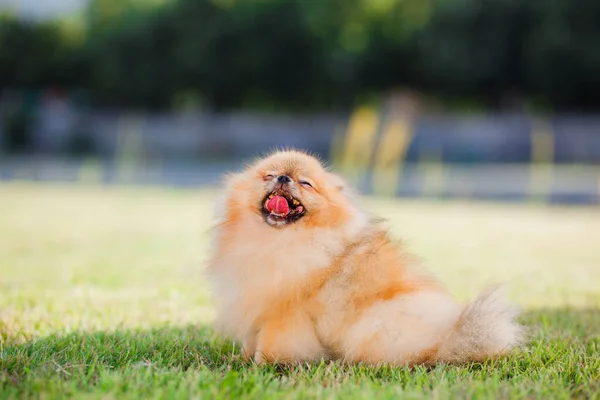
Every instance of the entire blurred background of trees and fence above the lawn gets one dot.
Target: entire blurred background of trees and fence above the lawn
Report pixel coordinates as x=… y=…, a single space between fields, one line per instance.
x=495 y=99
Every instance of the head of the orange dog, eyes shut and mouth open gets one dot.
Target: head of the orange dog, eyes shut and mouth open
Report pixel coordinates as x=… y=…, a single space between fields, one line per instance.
x=290 y=188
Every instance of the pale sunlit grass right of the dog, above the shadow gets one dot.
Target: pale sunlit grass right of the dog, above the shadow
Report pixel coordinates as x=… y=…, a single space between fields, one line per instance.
x=547 y=256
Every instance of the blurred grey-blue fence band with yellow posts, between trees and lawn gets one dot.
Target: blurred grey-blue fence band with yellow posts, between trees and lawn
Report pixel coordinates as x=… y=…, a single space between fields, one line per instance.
x=497 y=156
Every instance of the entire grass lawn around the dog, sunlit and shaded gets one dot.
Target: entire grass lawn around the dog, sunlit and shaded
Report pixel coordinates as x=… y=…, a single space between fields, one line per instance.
x=102 y=296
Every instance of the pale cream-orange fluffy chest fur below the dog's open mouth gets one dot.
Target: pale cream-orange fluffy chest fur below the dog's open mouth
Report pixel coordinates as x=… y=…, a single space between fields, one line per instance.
x=252 y=276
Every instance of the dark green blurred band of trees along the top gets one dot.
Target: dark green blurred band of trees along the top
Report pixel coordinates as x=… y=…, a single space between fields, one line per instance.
x=314 y=54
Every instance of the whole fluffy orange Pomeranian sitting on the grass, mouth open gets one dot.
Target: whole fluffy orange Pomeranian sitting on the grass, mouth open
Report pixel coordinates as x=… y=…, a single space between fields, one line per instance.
x=300 y=272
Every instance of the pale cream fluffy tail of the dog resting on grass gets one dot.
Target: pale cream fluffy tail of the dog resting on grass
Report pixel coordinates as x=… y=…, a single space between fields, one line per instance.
x=487 y=327
